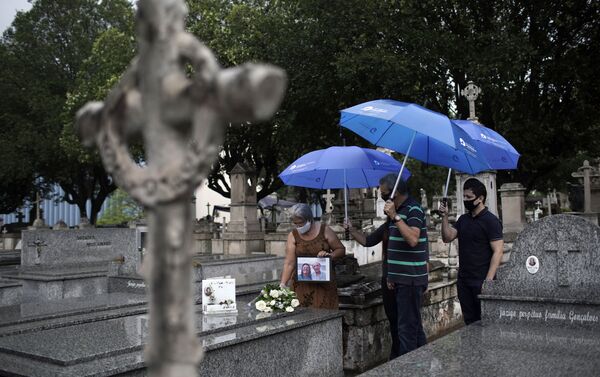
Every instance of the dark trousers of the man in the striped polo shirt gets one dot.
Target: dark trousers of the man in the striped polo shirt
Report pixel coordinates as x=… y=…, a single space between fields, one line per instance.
x=409 y=325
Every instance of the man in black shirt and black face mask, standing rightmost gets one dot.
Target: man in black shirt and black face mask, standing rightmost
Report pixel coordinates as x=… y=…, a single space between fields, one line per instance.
x=480 y=247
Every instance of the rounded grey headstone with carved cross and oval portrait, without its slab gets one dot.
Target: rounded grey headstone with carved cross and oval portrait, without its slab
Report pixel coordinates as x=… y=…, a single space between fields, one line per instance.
x=552 y=268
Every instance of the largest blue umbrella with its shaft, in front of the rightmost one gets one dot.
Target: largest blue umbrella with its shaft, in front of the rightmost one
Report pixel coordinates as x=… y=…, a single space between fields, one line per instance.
x=416 y=131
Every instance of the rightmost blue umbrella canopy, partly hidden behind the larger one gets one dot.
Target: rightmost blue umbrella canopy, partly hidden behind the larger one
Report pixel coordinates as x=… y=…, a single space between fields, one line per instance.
x=498 y=152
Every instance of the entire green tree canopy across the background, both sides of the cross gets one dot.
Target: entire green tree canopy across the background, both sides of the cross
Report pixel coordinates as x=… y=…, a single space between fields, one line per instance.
x=535 y=61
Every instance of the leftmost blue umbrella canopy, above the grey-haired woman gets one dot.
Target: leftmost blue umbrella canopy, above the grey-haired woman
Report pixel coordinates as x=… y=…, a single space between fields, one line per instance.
x=340 y=167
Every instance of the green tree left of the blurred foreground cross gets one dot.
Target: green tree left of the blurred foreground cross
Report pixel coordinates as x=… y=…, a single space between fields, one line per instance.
x=46 y=55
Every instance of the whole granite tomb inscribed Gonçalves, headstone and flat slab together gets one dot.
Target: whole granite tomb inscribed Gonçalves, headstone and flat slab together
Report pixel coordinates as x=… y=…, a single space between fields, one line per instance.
x=539 y=318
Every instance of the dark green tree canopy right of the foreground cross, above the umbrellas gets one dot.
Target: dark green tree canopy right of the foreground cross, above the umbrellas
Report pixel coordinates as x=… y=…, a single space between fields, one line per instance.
x=534 y=60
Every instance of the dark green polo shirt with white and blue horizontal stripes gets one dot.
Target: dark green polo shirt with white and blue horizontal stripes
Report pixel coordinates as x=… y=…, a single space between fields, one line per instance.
x=405 y=264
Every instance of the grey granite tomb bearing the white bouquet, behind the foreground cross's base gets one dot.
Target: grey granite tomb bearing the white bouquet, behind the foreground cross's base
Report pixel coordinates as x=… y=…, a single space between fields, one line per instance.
x=235 y=345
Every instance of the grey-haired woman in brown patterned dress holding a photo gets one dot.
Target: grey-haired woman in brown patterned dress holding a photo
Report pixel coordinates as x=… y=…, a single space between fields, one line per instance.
x=311 y=239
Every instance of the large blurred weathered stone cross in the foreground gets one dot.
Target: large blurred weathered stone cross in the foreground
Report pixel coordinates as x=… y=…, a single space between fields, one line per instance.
x=180 y=119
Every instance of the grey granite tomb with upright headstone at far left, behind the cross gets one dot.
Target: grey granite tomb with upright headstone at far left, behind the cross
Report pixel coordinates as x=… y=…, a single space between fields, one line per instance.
x=67 y=263
